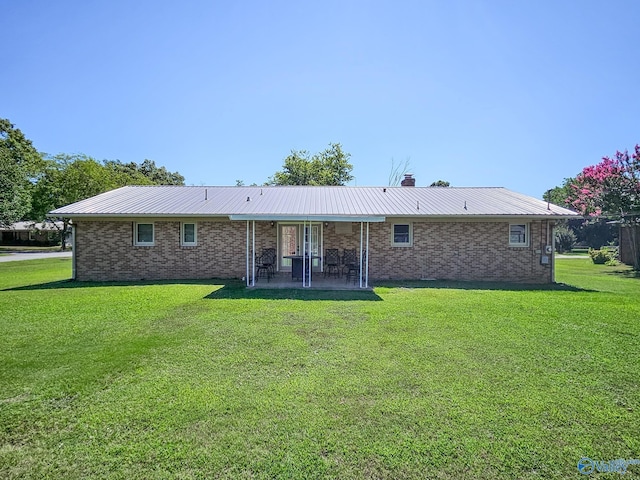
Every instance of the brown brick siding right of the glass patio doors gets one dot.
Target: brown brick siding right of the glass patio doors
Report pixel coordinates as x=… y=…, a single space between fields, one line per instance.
x=452 y=251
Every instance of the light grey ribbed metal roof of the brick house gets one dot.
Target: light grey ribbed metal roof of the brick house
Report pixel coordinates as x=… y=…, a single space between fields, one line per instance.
x=320 y=203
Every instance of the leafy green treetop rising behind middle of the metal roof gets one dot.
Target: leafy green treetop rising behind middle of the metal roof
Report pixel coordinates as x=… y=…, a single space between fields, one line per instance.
x=329 y=167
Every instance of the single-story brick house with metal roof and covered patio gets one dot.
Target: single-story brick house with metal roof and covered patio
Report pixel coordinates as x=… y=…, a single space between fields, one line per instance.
x=408 y=232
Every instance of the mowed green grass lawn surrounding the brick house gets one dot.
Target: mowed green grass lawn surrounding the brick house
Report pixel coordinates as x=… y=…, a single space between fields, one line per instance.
x=209 y=380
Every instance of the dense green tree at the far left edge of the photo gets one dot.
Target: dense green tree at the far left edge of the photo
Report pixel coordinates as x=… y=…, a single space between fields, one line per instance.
x=20 y=163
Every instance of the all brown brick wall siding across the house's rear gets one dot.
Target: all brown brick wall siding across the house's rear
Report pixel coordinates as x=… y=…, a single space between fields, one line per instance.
x=443 y=250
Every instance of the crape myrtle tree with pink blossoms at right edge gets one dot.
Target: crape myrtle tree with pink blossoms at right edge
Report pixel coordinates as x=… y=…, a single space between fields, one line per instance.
x=611 y=188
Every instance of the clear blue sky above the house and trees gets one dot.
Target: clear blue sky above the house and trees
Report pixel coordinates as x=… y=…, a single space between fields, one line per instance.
x=519 y=94
